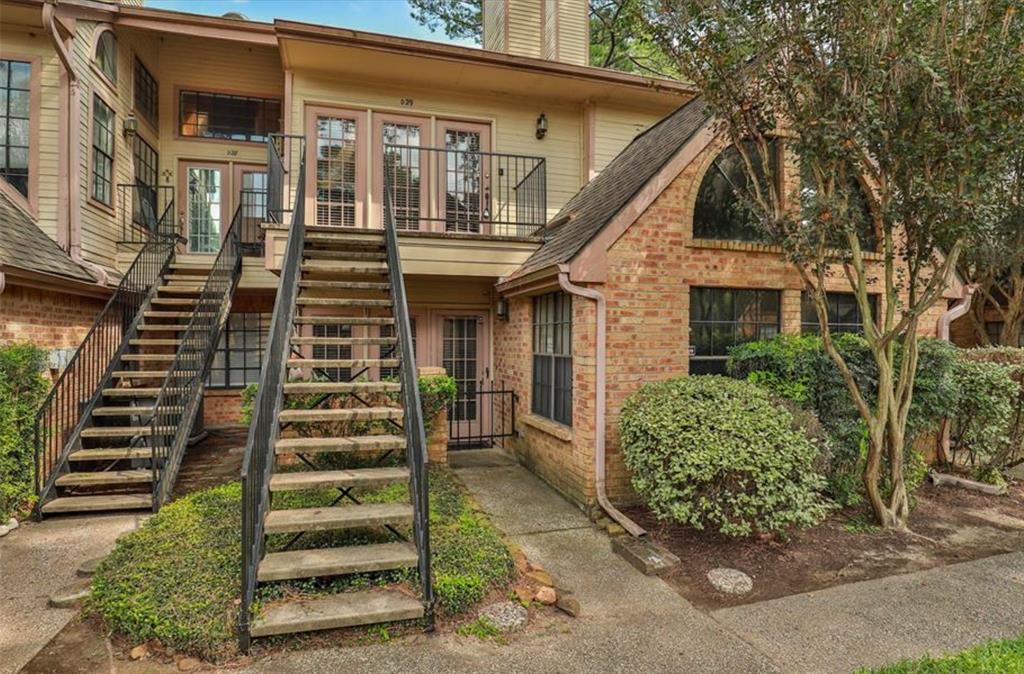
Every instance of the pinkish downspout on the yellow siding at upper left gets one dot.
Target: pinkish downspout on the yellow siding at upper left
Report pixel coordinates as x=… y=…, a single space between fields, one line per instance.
x=70 y=158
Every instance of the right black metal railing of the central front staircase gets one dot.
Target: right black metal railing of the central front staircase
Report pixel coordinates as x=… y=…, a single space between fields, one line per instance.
x=416 y=438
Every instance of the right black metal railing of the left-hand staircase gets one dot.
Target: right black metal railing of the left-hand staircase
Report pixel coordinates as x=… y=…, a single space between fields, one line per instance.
x=180 y=400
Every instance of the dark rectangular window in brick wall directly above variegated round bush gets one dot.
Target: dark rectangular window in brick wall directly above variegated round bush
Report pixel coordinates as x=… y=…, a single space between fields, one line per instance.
x=723 y=318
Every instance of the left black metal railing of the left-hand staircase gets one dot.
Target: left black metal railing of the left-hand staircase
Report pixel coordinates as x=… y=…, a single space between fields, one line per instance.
x=67 y=408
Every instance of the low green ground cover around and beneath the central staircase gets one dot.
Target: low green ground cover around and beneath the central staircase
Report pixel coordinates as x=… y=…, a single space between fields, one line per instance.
x=178 y=578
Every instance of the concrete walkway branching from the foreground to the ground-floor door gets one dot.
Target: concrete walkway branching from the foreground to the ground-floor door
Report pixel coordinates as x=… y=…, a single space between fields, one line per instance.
x=631 y=623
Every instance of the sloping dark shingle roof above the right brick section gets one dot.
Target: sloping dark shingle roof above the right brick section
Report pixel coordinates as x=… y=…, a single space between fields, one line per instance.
x=602 y=199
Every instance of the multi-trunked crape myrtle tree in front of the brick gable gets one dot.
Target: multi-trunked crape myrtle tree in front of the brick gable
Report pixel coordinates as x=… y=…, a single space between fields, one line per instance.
x=908 y=108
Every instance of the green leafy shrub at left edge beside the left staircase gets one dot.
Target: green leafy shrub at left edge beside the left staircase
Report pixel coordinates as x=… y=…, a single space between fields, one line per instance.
x=22 y=392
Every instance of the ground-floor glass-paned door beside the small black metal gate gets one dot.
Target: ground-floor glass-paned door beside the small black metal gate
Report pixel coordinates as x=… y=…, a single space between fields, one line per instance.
x=463 y=357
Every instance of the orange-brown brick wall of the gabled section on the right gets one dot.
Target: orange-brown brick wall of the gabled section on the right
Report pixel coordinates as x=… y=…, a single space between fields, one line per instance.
x=651 y=271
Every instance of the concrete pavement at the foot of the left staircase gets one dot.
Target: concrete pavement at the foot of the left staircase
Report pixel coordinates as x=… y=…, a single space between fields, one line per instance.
x=37 y=560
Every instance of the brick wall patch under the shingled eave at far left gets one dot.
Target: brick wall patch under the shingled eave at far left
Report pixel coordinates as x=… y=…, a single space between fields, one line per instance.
x=50 y=320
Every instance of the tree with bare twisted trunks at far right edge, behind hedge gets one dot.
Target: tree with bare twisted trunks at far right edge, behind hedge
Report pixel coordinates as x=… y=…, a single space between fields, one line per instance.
x=996 y=262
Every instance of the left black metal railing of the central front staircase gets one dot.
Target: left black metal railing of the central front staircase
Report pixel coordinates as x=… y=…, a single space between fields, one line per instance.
x=265 y=430
